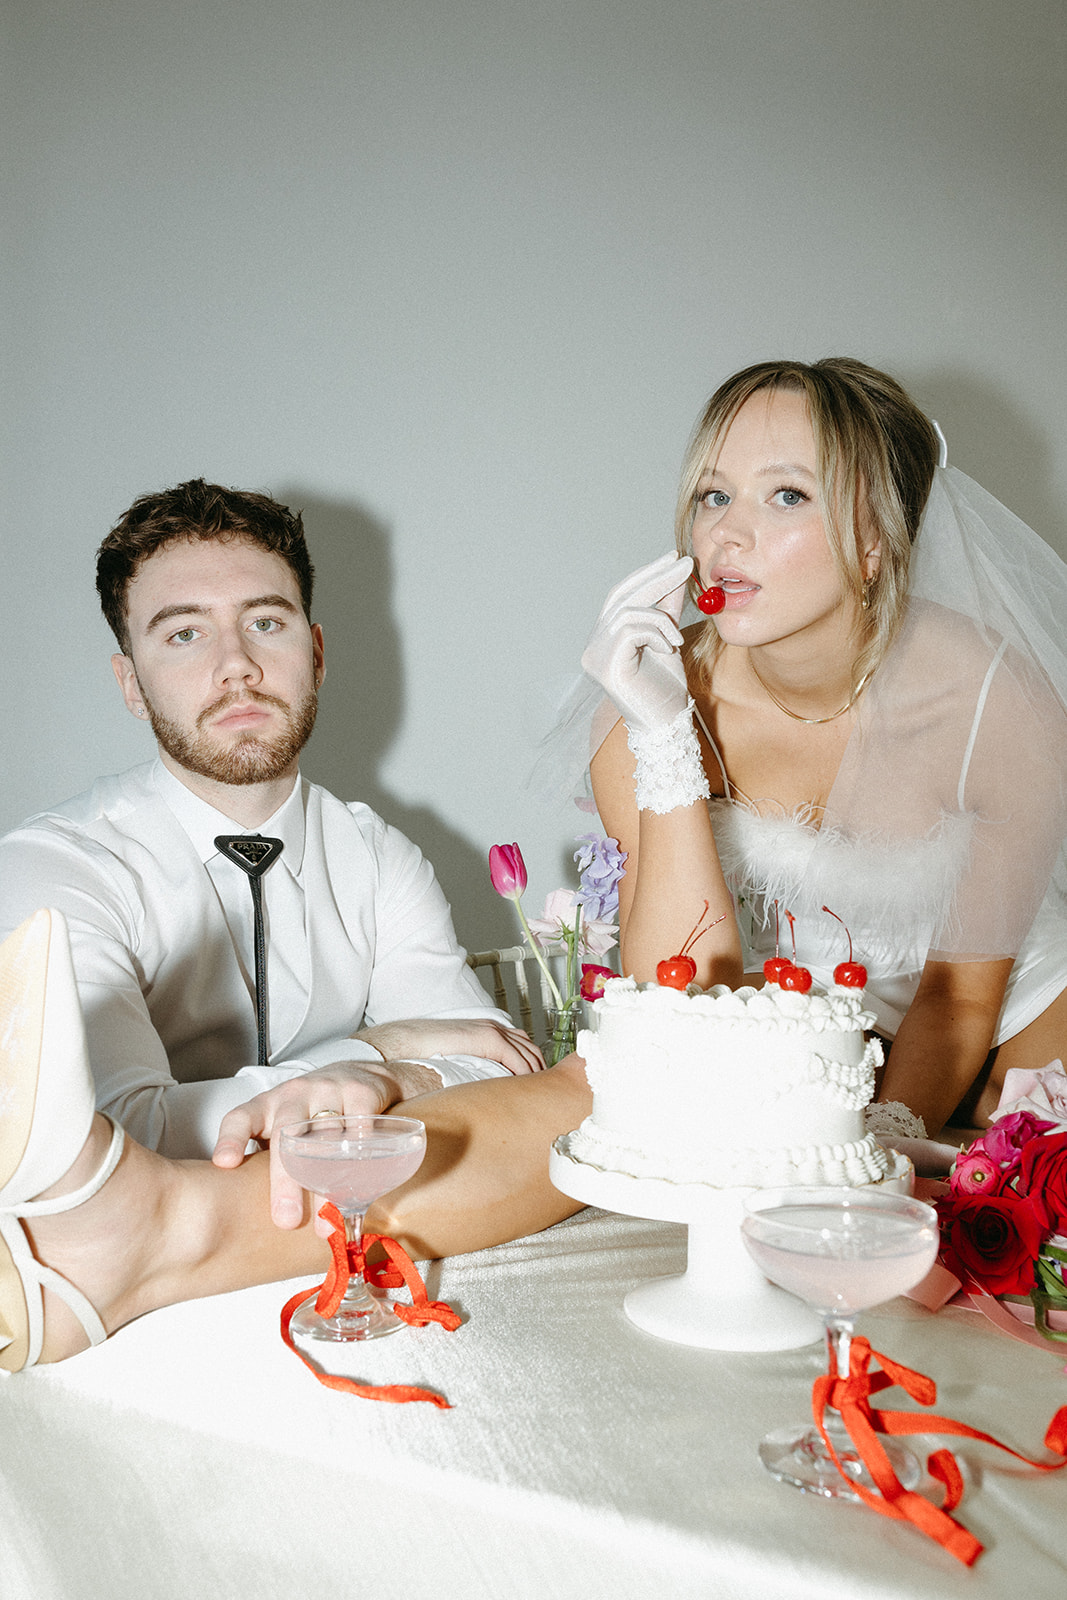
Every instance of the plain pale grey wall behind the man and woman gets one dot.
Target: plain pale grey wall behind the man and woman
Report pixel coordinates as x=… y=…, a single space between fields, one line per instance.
x=457 y=279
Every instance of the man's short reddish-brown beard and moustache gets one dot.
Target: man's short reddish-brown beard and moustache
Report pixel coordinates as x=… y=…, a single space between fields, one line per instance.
x=249 y=759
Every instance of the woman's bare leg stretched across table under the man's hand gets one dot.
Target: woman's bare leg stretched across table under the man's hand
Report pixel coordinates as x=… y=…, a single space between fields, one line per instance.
x=164 y=1231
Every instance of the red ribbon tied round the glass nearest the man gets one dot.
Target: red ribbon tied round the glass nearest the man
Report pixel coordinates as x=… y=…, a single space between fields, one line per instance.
x=396 y=1271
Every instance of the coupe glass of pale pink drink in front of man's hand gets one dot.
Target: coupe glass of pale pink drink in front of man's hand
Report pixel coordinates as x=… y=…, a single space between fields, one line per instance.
x=351 y=1161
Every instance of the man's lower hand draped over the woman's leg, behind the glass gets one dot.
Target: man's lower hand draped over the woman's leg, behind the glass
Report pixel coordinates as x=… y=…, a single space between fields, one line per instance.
x=351 y=1087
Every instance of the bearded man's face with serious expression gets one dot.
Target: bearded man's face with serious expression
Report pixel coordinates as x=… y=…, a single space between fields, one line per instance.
x=223 y=662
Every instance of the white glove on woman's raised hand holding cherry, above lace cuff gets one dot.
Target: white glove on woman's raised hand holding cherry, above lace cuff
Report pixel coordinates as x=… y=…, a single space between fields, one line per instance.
x=636 y=649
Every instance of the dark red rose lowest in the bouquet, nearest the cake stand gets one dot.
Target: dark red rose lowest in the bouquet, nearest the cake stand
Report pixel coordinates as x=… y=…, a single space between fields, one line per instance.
x=993 y=1239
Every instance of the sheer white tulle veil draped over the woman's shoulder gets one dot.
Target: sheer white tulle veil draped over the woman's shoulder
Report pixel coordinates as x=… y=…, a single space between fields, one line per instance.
x=957 y=767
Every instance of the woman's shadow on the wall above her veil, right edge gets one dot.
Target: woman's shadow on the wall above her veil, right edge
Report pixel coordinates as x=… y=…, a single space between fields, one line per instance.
x=999 y=447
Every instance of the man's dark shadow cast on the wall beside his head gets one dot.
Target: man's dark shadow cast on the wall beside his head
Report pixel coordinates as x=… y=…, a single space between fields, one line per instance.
x=364 y=700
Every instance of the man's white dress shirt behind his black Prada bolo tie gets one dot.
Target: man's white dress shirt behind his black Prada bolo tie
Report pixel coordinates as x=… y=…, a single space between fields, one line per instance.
x=161 y=932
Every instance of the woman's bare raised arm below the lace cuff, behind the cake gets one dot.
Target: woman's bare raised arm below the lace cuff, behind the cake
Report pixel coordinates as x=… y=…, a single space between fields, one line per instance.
x=673 y=868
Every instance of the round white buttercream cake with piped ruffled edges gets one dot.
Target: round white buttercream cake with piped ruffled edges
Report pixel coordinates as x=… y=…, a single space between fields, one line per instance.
x=730 y=1089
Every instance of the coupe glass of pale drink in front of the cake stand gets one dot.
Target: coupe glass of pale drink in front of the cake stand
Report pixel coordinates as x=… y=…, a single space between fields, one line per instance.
x=841 y=1250
